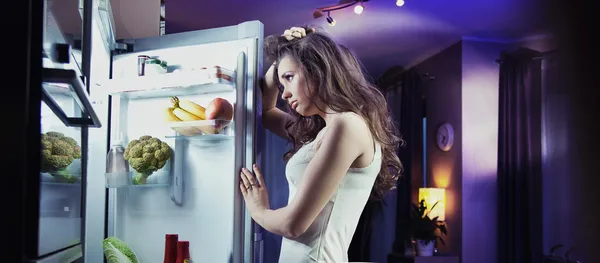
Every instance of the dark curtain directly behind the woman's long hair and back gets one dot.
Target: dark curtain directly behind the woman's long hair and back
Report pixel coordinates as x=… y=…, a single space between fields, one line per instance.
x=405 y=99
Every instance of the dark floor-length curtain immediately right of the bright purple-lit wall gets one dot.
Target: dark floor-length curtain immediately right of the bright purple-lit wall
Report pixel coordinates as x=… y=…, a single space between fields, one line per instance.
x=519 y=158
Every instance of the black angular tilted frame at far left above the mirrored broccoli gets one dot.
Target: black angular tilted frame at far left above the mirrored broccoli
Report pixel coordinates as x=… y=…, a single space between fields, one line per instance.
x=70 y=77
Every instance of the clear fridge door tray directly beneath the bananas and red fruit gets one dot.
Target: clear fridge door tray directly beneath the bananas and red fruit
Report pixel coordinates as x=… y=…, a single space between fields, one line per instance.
x=197 y=129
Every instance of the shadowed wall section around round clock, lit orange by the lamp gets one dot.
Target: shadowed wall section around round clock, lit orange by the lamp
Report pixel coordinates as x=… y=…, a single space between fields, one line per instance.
x=444 y=169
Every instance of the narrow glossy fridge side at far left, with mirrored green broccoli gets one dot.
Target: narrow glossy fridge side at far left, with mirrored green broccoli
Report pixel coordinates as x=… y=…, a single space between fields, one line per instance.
x=66 y=115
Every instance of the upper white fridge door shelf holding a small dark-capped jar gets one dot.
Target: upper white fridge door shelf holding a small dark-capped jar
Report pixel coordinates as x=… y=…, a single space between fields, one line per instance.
x=180 y=83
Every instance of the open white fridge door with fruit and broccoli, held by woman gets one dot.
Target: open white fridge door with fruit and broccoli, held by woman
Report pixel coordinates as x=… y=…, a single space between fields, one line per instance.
x=183 y=113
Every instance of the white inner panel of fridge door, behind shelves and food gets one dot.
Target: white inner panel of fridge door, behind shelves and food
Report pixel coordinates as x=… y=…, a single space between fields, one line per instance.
x=145 y=214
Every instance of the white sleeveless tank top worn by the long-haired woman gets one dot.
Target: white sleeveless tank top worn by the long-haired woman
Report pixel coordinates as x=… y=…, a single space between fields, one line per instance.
x=329 y=236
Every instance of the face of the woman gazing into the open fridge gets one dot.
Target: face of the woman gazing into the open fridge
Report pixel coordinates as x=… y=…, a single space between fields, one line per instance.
x=295 y=87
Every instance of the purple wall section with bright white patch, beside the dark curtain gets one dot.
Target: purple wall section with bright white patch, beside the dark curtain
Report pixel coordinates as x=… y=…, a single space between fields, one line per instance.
x=480 y=74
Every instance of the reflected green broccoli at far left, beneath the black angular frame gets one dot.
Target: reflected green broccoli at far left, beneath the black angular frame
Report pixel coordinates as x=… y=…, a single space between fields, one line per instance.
x=58 y=152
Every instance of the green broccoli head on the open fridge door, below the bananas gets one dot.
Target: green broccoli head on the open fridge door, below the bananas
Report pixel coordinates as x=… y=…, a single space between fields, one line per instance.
x=146 y=155
